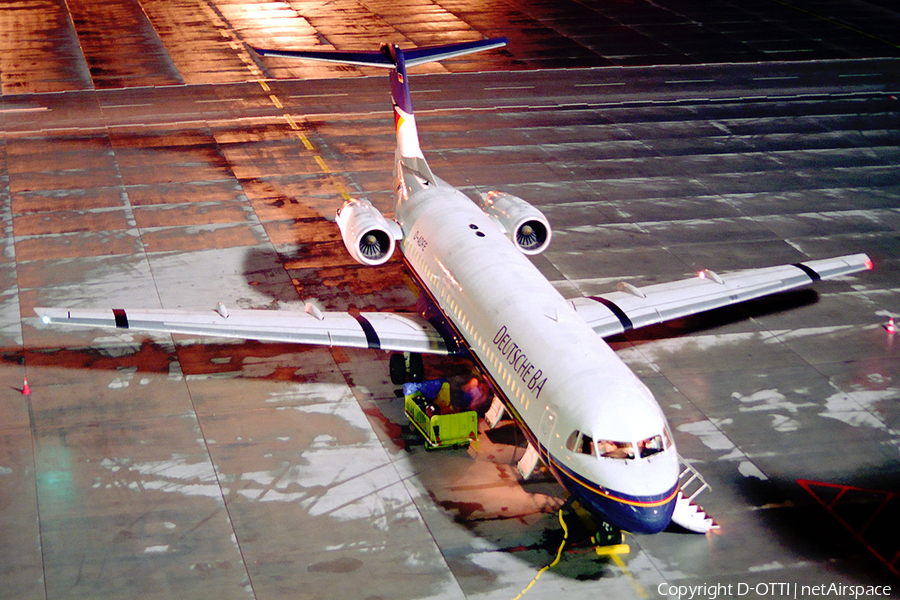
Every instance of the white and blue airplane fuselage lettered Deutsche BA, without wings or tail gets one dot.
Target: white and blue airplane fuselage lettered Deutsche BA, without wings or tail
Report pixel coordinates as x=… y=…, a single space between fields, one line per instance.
x=558 y=379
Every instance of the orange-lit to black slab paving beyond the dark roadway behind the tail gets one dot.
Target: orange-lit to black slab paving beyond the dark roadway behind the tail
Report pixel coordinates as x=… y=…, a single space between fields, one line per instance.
x=56 y=45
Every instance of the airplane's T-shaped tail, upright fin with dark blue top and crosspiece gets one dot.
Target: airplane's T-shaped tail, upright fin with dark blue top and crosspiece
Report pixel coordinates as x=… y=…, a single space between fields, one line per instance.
x=392 y=57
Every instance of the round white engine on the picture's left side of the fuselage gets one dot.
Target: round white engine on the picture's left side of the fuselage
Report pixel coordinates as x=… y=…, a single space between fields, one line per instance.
x=368 y=236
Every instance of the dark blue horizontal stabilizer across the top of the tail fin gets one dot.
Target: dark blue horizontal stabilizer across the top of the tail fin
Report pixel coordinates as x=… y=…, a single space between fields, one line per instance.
x=383 y=59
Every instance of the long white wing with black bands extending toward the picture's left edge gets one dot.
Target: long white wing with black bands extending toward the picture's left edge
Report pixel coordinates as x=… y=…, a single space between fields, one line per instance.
x=405 y=332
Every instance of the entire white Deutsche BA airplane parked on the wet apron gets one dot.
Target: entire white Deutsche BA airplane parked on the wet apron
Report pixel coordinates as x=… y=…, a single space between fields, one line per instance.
x=591 y=421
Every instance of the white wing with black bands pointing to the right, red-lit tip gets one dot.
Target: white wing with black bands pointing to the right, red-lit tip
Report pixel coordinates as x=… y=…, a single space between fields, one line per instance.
x=632 y=308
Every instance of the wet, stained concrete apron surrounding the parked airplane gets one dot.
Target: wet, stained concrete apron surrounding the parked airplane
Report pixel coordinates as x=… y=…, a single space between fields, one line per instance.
x=160 y=466
